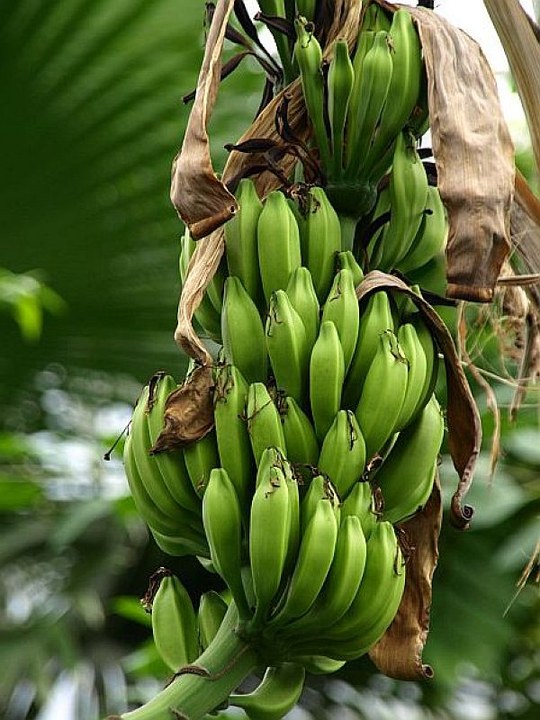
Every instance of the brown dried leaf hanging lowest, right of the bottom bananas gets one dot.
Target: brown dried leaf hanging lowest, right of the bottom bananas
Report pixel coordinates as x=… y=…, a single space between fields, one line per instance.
x=399 y=652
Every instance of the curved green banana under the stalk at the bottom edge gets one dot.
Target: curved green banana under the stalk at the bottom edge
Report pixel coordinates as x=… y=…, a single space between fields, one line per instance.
x=276 y=695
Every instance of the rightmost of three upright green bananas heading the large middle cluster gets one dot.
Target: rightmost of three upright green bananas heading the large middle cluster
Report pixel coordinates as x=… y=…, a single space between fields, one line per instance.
x=321 y=240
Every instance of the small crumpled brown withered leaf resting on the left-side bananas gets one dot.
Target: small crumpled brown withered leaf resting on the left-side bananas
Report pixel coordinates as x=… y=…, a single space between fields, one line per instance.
x=189 y=412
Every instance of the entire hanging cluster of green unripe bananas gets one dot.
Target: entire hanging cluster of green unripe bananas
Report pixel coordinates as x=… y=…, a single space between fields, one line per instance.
x=326 y=428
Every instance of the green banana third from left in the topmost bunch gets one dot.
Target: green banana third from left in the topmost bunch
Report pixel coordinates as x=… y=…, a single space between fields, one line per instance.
x=368 y=105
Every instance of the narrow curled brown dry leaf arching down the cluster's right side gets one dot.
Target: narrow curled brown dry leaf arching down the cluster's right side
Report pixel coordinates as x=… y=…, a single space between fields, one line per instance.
x=464 y=428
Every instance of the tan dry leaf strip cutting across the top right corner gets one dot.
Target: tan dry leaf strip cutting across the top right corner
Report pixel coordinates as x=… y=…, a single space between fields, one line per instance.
x=522 y=49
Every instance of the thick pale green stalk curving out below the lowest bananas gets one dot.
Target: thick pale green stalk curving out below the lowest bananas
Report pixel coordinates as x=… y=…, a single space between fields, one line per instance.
x=214 y=676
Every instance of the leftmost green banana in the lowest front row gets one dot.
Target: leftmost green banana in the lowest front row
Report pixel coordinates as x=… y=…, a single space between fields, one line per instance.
x=222 y=518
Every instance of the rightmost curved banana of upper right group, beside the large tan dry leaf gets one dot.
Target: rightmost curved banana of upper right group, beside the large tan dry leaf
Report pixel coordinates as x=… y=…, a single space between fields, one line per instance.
x=431 y=236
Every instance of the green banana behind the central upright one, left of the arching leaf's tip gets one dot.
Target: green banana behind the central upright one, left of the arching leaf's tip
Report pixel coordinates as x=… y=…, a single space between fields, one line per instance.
x=341 y=307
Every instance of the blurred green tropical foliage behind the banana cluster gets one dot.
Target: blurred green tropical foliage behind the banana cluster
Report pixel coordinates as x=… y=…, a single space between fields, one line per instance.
x=92 y=115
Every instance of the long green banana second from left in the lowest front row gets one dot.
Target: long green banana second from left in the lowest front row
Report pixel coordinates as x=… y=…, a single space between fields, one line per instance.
x=269 y=535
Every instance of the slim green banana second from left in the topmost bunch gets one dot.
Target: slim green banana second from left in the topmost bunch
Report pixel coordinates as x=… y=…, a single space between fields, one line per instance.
x=340 y=83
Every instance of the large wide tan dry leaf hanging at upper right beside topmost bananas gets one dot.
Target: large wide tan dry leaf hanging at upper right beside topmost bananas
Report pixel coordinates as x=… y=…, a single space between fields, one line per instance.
x=473 y=153
